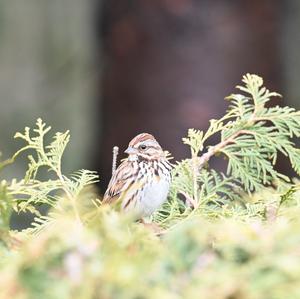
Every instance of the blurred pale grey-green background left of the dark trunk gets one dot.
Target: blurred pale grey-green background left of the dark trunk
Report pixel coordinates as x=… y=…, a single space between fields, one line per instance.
x=47 y=70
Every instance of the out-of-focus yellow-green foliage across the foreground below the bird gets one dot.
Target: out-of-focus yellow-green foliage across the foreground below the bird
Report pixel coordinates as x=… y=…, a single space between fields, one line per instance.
x=113 y=258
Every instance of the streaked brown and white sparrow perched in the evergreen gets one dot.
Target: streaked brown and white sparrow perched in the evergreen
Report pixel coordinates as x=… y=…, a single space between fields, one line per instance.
x=141 y=182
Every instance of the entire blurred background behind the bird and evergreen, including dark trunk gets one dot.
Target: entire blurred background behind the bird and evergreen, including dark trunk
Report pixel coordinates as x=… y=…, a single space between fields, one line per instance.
x=107 y=70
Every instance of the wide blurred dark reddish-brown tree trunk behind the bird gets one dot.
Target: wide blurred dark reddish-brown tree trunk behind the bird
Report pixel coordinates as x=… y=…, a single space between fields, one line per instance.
x=170 y=63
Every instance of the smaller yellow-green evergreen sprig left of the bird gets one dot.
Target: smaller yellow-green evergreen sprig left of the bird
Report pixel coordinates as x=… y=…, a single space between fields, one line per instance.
x=31 y=191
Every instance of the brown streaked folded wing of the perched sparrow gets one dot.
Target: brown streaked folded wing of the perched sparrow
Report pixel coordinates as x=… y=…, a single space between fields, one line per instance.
x=121 y=182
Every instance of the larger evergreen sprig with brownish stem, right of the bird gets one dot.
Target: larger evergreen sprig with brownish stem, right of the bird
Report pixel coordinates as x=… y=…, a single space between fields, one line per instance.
x=251 y=137
